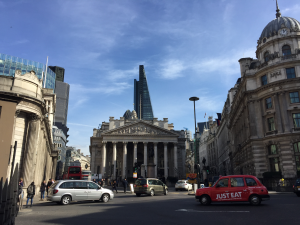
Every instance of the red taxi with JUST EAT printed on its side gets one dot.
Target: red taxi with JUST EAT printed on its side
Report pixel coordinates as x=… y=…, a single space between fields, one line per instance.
x=234 y=188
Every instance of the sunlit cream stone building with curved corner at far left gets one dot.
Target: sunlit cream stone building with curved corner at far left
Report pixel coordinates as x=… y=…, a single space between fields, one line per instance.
x=26 y=118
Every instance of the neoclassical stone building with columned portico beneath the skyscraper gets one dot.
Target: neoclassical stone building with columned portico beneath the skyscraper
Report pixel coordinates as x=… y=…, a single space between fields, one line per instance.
x=158 y=150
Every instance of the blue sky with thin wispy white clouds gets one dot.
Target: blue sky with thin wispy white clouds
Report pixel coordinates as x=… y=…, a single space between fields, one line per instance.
x=188 y=47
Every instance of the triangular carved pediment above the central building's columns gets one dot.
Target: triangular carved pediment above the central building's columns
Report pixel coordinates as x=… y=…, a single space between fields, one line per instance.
x=140 y=128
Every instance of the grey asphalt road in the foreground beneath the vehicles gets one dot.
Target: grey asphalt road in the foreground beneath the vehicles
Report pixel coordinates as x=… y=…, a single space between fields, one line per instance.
x=175 y=208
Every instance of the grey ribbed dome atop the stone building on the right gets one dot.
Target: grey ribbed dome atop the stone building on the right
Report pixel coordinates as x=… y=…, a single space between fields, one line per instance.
x=280 y=22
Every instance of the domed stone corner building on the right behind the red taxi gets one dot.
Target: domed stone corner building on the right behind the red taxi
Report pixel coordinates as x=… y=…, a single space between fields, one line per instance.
x=264 y=120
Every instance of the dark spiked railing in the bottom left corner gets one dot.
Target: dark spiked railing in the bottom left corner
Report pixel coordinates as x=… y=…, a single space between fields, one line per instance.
x=9 y=199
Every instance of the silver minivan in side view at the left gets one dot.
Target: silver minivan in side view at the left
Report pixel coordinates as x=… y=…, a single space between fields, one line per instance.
x=65 y=191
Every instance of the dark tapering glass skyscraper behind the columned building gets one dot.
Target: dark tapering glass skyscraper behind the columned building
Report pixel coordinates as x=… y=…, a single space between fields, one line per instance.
x=142 y=100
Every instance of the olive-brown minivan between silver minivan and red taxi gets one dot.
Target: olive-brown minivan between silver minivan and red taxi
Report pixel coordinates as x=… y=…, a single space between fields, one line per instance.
x=149 y=186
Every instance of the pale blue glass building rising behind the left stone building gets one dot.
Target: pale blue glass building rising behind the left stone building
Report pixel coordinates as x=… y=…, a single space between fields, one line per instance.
x=9 y=64
